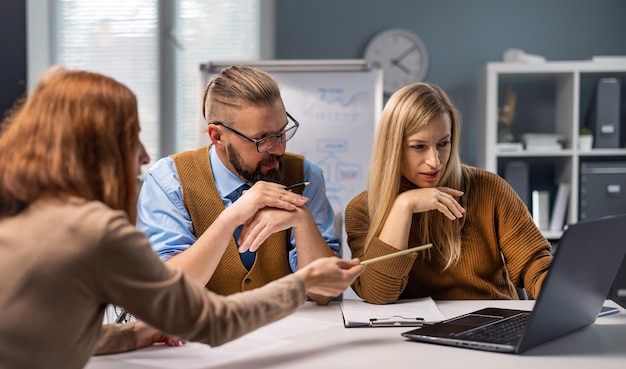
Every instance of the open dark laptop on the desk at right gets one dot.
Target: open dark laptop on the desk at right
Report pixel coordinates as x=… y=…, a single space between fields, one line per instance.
x=585 y=263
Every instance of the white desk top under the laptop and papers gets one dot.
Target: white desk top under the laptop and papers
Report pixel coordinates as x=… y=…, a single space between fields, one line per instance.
x=601 y=345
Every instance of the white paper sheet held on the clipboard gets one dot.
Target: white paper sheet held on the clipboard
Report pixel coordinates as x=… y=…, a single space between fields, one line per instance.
x=357 y=313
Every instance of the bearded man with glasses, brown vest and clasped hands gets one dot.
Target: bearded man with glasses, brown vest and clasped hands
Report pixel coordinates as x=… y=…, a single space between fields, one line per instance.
x=245 y=165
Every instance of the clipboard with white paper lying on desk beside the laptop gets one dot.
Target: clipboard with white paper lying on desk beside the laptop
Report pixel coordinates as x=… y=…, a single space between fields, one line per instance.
x=403 y=313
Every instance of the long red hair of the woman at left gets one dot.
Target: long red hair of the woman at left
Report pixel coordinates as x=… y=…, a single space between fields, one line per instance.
x=76 y=135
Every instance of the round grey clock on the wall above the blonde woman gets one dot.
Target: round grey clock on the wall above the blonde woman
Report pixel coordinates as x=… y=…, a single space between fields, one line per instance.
x=402 y=57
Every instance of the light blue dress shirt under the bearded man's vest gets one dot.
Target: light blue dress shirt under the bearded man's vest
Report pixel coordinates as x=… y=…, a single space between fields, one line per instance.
x=162 y=216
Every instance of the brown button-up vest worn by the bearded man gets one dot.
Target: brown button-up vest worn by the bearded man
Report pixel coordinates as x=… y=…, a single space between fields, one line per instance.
x=204 y=205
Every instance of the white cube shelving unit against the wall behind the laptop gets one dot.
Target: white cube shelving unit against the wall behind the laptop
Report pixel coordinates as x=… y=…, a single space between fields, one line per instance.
x=552 y=97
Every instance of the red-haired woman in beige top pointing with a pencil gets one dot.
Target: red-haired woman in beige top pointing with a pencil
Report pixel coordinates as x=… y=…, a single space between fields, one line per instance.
x=70 y=160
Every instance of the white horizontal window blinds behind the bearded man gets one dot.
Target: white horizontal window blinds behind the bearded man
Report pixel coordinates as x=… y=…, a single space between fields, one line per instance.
x=120 y=38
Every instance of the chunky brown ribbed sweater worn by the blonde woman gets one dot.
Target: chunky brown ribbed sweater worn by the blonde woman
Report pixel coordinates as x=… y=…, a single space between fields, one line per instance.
x=497 y=226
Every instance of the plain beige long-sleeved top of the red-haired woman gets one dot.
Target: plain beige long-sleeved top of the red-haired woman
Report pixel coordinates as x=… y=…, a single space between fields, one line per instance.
x=62 y=262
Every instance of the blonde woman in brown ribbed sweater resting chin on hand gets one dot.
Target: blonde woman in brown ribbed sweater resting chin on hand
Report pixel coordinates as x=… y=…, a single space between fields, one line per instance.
x=485 y=241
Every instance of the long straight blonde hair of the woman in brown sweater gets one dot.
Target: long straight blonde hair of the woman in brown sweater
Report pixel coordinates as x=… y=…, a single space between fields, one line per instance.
x=408 y=111
